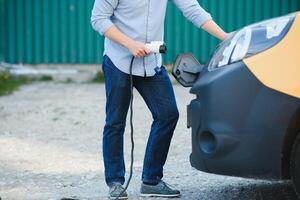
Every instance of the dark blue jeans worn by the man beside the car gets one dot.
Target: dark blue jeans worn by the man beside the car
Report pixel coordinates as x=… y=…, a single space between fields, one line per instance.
x=157 y=91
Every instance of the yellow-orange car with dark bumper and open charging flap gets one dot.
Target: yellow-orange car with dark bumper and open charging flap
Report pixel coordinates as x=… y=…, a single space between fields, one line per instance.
x=245 y=119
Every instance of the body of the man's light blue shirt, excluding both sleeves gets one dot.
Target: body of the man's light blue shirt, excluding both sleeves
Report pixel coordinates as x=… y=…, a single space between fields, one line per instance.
x=141 y=20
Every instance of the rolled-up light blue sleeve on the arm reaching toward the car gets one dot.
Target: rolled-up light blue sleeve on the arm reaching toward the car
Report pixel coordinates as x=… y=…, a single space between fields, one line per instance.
x=192 y=10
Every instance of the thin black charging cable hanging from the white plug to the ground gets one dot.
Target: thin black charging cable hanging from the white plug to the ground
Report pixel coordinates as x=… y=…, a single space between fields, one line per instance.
x=131 y=130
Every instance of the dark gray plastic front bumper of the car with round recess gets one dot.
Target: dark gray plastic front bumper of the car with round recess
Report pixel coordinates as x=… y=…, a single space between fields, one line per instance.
x=238 y=124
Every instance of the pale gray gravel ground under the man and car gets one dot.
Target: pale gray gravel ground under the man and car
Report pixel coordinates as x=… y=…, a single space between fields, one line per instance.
x=50 y=148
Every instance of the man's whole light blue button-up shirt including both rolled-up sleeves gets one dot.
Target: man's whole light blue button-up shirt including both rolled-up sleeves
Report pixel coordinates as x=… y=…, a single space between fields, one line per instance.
x=142 y=20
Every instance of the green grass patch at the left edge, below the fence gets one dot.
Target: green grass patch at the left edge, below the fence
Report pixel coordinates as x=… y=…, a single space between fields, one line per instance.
x=10 y=83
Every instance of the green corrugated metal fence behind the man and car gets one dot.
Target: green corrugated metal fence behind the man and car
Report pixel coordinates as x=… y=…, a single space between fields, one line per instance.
x=59 y=31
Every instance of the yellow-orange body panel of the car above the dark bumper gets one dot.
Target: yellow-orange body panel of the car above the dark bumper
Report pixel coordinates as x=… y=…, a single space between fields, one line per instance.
x=279 y=67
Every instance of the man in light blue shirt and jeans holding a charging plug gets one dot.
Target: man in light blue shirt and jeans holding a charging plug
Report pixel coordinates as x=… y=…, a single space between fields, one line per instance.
x=127 y=25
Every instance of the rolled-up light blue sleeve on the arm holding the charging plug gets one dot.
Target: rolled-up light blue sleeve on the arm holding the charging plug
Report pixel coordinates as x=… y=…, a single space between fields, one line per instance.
x=101 y=15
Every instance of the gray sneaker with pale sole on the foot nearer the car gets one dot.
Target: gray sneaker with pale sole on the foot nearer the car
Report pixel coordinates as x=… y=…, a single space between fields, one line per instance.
x=162 y=189
